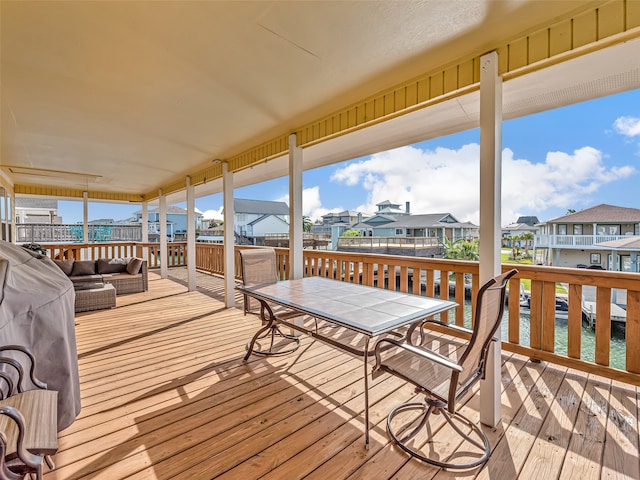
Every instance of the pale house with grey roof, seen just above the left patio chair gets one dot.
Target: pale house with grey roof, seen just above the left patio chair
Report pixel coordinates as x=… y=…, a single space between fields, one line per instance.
x=254 y=219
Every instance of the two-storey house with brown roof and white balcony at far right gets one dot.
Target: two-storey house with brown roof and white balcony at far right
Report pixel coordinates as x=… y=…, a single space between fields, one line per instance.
x=581 y=239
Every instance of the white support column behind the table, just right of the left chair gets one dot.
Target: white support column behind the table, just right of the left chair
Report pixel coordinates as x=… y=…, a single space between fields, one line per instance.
x=296 y=245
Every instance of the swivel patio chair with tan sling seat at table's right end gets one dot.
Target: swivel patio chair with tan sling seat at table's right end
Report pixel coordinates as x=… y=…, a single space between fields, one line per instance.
x=444 y=381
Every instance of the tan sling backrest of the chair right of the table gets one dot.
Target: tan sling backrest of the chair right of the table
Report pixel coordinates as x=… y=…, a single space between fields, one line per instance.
x=488 y=315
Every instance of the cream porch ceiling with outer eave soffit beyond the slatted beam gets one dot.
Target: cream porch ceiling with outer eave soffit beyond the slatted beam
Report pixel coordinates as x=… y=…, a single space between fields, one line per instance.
x=127 y=97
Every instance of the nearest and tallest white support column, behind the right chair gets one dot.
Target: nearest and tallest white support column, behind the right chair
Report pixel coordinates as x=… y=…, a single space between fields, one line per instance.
x=490 y=212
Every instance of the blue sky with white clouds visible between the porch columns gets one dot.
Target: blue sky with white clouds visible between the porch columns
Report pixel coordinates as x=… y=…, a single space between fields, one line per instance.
x=569 y=158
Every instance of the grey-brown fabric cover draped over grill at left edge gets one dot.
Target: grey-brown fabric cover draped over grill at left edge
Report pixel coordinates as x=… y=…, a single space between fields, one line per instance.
x=37 y=311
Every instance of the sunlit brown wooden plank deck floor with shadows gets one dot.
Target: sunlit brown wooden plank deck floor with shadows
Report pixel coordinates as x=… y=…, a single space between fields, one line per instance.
x=165 y=394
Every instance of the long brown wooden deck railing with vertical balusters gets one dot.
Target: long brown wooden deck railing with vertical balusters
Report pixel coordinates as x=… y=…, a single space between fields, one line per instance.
x=538 y=335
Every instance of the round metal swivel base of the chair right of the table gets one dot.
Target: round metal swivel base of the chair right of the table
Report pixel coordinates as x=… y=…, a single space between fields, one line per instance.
x=474 y=443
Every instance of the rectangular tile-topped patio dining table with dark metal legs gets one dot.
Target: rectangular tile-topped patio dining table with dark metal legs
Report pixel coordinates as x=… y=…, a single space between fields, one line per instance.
x=368 y=311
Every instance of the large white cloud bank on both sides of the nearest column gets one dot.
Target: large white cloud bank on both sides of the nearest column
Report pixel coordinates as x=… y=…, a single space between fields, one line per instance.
x=446 y=180
